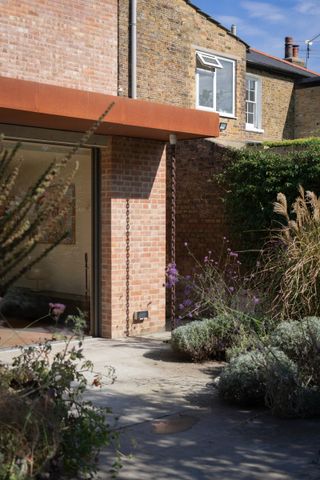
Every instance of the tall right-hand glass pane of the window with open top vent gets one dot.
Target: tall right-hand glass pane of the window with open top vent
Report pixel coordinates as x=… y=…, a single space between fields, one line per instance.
x=225 y=87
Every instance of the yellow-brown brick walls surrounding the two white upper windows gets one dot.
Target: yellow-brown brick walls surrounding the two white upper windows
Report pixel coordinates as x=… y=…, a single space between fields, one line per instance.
x=168 y=35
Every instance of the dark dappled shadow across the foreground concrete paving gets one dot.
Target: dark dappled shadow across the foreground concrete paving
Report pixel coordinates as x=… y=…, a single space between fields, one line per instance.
x=224 y=444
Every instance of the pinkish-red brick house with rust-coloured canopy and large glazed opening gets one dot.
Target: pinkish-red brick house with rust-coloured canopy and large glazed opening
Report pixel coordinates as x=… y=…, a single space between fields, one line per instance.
x=58 y=73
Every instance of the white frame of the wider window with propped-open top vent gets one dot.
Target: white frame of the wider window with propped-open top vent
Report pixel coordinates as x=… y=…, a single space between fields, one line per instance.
x=214 y=79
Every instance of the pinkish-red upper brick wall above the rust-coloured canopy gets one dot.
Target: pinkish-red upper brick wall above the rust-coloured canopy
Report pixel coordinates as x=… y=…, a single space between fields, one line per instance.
x=61 y=42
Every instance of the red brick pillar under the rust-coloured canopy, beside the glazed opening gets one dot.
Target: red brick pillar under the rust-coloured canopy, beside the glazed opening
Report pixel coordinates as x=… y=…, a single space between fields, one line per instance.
x=134 y=169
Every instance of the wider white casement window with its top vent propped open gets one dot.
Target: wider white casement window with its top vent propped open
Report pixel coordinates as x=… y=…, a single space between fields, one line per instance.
x=215 y=84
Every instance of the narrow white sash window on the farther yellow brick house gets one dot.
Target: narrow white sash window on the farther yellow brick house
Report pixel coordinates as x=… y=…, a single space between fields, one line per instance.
x=253 y=104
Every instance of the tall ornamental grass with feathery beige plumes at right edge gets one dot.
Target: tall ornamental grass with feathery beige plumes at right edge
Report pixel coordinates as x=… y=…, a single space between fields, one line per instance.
x=290 y=271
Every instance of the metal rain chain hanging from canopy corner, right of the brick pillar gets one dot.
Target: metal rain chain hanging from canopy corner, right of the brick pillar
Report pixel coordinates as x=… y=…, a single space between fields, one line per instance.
x=173 y=232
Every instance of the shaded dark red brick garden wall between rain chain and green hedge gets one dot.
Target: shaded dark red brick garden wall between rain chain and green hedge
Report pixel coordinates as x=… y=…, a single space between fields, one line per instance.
x=200 y=218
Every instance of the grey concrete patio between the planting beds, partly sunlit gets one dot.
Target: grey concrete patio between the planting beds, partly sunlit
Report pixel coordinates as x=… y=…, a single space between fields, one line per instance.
x=201 y=437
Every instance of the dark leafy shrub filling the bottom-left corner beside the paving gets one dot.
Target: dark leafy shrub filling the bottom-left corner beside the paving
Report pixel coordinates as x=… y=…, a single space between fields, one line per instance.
x=45 y=424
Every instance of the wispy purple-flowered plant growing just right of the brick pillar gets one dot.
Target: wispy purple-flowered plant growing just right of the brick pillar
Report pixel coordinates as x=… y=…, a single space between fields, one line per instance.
x=216 y=286
